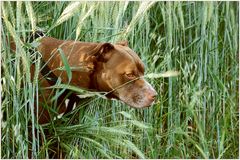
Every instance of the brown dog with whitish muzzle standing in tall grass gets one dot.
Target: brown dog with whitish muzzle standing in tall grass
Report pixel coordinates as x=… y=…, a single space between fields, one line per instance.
x=95 y=66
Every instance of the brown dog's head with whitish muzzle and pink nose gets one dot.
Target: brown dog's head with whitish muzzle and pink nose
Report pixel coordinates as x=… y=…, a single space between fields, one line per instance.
x=120 y=70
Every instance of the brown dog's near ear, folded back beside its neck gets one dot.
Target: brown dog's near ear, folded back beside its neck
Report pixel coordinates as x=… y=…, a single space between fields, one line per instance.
x=100 y=52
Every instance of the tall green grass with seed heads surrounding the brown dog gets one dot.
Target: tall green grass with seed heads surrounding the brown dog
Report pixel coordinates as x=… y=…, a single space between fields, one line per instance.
x=196 y=115
